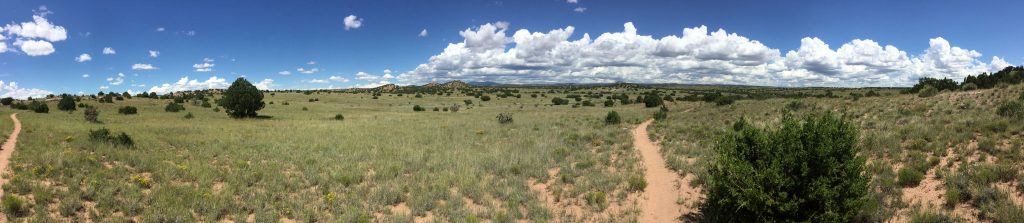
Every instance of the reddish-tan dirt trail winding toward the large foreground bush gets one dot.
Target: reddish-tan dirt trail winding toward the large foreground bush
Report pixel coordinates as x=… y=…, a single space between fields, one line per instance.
x=659 y=203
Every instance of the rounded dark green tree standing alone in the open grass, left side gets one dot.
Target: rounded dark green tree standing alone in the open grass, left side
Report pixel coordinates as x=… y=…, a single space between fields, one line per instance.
x=242 y=100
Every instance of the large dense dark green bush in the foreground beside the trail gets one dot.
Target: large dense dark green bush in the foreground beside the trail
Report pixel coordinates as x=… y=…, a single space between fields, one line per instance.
x=804 y=171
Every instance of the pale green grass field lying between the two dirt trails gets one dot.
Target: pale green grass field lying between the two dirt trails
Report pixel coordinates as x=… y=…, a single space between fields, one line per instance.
x=211 y=167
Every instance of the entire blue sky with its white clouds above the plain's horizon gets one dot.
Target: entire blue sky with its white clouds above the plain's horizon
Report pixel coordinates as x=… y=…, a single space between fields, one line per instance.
x=870 y=43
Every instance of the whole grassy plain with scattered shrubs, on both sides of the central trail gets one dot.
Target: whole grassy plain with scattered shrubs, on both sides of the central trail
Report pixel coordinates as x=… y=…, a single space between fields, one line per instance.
x=387 y=163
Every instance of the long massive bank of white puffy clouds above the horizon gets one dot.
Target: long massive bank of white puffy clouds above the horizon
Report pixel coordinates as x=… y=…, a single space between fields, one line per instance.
x=697 y=57
